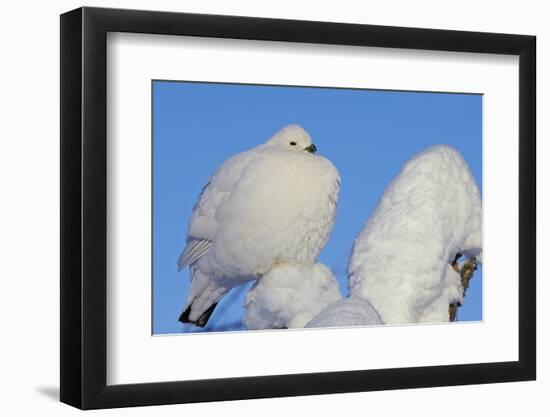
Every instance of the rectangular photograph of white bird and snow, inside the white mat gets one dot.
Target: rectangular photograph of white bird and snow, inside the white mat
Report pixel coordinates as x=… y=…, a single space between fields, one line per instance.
x=279 y=207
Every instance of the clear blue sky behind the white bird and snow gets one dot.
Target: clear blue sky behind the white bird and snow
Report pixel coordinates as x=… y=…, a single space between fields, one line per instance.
x=367 y=134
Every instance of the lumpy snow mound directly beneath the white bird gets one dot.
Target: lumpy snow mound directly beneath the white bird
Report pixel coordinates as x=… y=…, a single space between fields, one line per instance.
x=289 y=296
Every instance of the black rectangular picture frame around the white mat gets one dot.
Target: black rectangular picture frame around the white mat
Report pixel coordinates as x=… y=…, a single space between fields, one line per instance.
x=84 y=207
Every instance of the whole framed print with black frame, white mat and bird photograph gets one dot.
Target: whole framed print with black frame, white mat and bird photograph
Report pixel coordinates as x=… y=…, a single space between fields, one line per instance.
x=258 y=207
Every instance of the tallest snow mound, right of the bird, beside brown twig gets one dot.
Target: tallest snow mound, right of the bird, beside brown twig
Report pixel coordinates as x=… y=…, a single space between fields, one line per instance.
x=427 y=215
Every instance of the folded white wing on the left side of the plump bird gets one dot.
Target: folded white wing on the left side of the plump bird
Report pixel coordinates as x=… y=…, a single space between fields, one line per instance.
x=203 y=223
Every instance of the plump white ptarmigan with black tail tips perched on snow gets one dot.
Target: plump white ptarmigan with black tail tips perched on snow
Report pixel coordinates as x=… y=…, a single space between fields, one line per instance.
x=271 y=205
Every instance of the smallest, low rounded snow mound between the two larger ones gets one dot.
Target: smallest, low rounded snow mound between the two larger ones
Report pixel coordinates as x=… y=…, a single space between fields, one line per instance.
x=352 y=311
